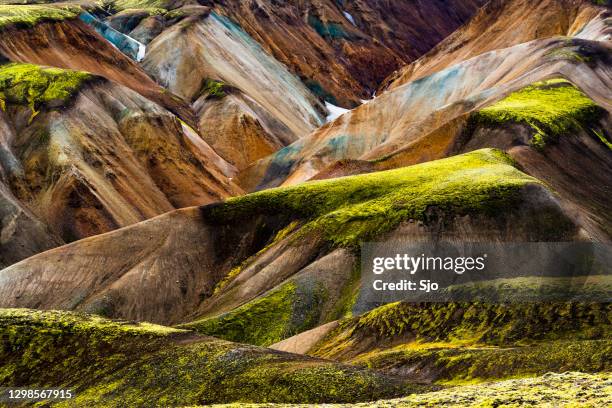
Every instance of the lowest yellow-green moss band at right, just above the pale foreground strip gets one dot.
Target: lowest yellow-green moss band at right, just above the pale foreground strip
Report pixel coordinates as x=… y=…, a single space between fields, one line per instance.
x=454 y=364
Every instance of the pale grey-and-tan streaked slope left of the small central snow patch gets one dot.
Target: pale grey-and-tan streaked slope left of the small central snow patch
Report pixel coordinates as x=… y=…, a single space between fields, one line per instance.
x=198 y=49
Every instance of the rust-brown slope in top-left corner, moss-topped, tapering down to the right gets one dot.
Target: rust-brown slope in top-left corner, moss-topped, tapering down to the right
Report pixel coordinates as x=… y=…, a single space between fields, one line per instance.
x=45 y=36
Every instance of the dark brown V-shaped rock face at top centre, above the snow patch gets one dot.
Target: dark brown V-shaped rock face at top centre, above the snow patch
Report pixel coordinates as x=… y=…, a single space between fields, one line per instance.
x=342 y=59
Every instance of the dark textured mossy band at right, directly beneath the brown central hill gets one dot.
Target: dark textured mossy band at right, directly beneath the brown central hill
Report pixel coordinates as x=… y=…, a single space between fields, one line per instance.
x=486 y=323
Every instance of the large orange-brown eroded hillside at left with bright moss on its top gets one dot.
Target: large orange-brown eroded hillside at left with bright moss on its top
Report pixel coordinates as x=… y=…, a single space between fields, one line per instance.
x=87 y=156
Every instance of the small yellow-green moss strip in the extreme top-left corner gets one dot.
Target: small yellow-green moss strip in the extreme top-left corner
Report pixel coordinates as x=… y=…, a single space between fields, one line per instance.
x=30 y=15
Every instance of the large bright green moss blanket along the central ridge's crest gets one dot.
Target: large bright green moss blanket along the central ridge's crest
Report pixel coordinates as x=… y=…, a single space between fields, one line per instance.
x=348 y=210
